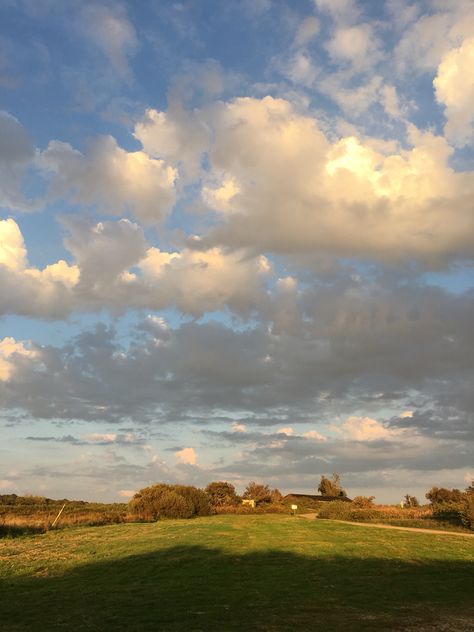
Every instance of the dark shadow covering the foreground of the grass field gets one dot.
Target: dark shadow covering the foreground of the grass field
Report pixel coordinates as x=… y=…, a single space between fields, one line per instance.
x=193 y=588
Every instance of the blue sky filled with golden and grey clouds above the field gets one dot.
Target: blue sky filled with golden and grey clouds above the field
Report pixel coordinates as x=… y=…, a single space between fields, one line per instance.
x=236 y=243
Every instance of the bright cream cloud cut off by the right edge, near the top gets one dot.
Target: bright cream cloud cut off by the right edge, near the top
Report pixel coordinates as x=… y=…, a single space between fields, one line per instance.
x=455 y=90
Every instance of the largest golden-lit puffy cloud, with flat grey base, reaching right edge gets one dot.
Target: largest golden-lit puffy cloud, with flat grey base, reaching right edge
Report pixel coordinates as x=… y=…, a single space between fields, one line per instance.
x=296 y=191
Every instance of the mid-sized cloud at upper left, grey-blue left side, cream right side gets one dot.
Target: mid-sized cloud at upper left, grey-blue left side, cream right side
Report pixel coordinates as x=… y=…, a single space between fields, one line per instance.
x=114 y=180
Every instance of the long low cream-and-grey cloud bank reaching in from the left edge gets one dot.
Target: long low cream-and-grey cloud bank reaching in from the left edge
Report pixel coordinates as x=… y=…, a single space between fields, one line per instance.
x=114 y=267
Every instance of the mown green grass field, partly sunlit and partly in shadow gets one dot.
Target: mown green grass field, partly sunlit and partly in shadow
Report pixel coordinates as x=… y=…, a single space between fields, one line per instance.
x=226 y=573
